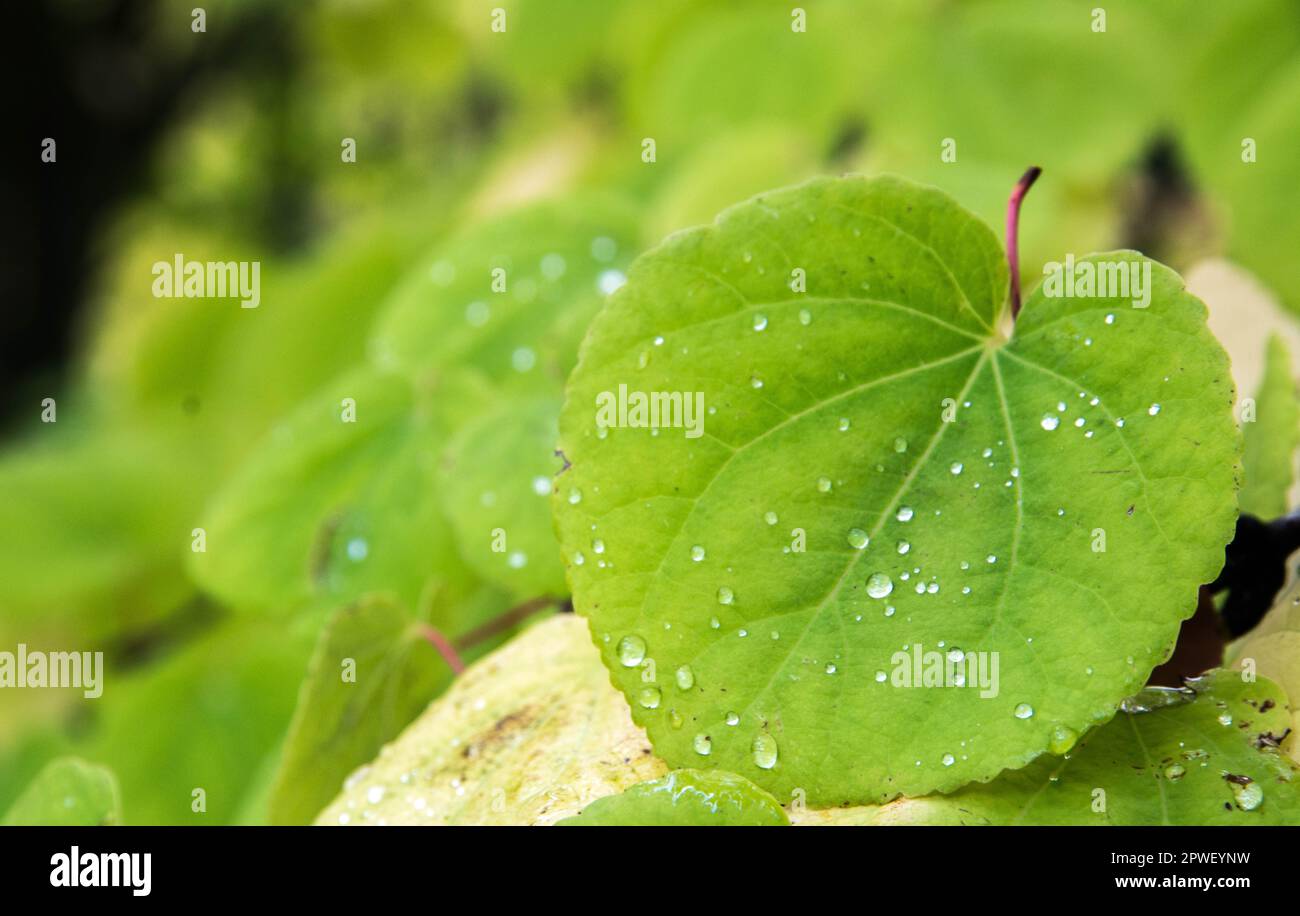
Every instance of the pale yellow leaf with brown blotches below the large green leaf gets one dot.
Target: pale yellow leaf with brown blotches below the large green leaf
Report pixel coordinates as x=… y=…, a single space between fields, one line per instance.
x=530 y=735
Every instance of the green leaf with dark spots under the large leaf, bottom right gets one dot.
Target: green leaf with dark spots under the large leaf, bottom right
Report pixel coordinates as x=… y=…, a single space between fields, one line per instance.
x=1167 y=766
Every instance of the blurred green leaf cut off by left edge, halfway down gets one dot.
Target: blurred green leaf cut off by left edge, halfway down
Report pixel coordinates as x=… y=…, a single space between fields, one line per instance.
x=105 y=520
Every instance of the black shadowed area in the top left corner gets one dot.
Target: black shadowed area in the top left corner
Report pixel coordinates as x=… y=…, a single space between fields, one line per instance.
x=96 y=85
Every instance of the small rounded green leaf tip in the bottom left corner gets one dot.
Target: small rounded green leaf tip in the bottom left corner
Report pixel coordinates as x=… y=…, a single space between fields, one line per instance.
x=68 y=793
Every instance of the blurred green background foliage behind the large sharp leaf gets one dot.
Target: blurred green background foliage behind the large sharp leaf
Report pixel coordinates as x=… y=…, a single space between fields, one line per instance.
x=480 y=150
